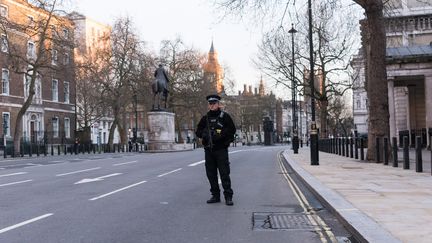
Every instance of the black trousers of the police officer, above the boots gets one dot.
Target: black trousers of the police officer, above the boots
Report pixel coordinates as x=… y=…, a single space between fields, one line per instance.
x=214 y=161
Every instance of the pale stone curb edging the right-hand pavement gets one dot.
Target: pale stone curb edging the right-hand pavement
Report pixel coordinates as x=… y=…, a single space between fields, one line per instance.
x=363 y=228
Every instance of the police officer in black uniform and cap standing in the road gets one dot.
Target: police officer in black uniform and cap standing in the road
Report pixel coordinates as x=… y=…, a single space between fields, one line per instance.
x=217 y=129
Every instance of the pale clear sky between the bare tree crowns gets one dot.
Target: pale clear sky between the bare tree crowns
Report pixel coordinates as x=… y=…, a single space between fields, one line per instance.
x=194 y=21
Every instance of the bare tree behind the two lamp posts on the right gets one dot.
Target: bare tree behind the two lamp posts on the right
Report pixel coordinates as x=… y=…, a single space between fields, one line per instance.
x=333 y=45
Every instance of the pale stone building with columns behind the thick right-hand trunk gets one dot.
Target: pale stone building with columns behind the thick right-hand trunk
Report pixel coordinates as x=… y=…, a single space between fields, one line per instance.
x=409 y=56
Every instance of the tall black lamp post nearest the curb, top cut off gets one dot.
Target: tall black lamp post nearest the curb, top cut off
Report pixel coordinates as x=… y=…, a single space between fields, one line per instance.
x=313 y=129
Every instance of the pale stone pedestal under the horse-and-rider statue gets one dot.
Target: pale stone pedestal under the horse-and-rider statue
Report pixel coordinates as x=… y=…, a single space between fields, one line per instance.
x=161 y=132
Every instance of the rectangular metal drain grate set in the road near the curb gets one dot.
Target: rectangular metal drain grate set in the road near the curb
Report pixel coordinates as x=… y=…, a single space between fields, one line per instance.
x=282 y=221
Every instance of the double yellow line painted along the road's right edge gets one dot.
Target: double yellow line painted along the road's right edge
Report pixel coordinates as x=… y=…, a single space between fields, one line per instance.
x=323 y=230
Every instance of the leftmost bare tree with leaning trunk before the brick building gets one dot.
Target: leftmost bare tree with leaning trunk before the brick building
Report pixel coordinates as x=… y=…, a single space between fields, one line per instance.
x=34 y=44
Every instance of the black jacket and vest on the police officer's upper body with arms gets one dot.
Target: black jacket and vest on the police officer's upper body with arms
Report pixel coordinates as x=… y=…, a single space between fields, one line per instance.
x=216 y=121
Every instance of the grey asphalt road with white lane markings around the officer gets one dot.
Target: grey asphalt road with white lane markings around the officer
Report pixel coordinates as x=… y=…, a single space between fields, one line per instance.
x=157 y=198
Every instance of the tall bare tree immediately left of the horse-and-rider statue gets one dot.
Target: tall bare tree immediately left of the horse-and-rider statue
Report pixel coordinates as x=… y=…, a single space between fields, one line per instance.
x=117 y=71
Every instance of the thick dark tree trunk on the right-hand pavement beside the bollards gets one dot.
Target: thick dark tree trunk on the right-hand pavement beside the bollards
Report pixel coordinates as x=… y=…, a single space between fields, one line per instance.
x=377 y=89
